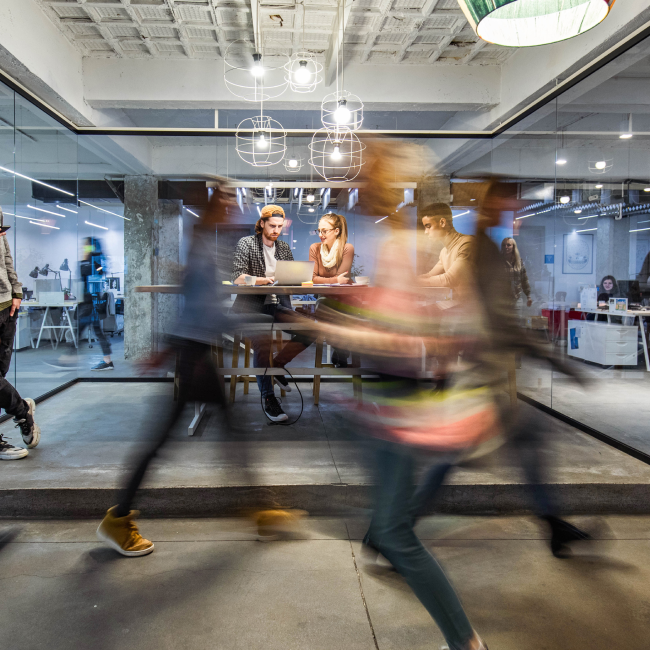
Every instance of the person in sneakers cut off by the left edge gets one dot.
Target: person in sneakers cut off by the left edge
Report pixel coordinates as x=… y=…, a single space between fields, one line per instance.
x=11 y=295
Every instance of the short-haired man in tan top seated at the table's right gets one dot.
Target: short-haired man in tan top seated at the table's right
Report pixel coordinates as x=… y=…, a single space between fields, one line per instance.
x=454 y=267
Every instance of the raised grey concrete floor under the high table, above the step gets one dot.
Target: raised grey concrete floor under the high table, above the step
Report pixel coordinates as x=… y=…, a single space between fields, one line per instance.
x=91 y=432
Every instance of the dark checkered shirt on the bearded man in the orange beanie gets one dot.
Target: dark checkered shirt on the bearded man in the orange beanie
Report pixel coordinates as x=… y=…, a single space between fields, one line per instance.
x=249 y=260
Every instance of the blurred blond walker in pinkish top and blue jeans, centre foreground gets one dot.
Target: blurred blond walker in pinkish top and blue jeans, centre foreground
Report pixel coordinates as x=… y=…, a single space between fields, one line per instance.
x=398 y=413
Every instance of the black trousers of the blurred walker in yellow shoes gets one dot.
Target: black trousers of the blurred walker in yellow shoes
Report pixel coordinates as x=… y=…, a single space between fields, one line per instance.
x=198 y=382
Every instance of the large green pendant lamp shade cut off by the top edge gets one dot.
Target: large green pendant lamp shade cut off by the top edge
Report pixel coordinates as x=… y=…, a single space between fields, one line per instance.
x=524 y=23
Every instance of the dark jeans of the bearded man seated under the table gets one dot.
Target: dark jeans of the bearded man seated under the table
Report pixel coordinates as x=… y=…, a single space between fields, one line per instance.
x=262 y=346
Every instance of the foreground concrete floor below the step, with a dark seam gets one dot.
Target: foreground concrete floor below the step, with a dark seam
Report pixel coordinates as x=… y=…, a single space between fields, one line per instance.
x=208 y=585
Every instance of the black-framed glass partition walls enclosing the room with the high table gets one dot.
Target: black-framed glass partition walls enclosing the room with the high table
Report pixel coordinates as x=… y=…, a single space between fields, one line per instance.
x=580 y=164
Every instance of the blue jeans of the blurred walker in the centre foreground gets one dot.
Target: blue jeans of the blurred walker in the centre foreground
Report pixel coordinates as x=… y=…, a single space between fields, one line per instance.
x=391 y=533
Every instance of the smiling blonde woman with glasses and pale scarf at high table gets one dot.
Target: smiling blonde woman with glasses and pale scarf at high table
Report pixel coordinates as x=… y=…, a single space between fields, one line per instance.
x=333 y=262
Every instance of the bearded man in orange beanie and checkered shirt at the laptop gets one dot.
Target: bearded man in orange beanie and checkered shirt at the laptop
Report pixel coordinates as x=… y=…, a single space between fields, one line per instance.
x=257 y=255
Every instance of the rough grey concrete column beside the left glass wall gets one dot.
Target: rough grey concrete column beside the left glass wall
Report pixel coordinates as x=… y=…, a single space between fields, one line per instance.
x=140 y=244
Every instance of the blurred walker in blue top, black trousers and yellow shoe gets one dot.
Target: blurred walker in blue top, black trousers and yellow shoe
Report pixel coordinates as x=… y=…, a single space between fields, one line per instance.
x=202 y=321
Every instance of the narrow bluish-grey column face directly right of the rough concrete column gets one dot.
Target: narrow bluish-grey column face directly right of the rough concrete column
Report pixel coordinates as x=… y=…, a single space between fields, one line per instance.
x=167 y=268
